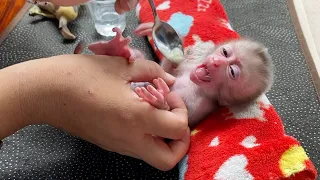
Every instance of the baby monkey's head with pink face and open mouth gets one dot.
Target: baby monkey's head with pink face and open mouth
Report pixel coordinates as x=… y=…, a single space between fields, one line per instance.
x=238 y=71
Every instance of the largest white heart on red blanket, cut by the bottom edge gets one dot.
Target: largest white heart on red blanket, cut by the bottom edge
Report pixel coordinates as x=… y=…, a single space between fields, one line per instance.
x=234 y=168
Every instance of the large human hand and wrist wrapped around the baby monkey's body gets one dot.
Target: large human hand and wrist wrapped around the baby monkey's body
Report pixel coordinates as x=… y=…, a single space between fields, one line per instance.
x=89 y=96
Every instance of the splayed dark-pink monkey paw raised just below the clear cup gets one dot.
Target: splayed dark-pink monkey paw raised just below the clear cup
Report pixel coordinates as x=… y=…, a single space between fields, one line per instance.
x=118 y=46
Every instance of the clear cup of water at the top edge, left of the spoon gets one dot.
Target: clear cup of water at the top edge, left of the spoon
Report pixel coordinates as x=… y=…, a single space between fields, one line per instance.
x=105 y=17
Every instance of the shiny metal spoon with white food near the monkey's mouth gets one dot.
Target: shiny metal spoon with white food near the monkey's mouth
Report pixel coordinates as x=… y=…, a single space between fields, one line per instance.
x=166 y=38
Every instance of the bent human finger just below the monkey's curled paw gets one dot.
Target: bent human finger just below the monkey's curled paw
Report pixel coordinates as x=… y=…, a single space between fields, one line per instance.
x=167 y=124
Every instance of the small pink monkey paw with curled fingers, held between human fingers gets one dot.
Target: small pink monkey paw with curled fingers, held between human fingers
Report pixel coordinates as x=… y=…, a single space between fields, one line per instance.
x=155 y=96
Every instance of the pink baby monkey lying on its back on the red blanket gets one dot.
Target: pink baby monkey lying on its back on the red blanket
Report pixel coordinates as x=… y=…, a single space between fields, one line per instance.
x=233 y=73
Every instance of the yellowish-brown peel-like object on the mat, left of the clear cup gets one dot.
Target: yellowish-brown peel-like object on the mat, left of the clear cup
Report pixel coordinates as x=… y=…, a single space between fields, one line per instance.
x=64 y=14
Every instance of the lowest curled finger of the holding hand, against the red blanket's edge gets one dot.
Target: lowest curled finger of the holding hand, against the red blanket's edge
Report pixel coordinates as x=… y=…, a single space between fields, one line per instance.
x=164 y=156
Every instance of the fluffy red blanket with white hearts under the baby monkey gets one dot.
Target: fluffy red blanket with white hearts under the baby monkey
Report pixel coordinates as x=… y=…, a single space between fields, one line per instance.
x=231 y=144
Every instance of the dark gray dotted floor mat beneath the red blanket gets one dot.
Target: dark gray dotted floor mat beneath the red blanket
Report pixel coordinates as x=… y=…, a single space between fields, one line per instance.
x=43 y=152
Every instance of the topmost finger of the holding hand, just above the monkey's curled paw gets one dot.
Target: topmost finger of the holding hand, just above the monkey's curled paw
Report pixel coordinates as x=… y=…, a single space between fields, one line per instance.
x=146 y=71
